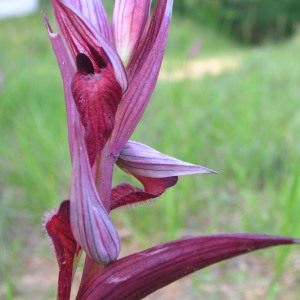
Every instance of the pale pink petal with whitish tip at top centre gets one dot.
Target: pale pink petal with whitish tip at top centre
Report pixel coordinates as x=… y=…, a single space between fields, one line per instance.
x=129 y=21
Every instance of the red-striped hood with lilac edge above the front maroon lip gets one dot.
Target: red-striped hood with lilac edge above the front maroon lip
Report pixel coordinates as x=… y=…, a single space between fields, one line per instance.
x=81 y=37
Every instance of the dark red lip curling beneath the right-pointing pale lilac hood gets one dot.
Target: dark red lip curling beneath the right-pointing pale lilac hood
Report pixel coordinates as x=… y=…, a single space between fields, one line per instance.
x=125 y=194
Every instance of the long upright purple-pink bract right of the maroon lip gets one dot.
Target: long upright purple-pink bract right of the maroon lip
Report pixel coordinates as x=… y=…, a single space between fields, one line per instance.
x=143 y=78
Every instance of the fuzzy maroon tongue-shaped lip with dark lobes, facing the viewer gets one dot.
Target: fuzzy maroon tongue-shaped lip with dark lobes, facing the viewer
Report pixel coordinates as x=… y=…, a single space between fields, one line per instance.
x=97 y=96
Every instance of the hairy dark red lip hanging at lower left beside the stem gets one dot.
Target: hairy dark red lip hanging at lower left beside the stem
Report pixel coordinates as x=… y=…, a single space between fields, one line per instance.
x=59 y=230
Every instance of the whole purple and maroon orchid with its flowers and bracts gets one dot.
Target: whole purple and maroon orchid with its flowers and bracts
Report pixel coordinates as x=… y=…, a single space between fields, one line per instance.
x=109 y=71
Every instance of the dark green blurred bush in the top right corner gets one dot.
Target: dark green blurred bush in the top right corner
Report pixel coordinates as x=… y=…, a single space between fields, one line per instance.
x=249 y=21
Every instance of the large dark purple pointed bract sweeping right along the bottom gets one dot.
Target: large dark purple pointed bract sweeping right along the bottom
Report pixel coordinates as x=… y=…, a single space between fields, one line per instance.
x=136 y=276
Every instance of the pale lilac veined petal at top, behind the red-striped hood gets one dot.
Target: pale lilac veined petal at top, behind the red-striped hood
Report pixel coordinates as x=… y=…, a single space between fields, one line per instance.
x=94 y=11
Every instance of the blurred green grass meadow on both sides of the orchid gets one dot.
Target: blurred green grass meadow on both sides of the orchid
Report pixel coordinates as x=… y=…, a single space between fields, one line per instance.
x=243 y=124
